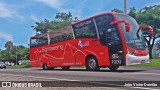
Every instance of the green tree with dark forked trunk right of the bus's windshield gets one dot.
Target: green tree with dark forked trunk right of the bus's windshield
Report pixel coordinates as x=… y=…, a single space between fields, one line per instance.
x=150 y=16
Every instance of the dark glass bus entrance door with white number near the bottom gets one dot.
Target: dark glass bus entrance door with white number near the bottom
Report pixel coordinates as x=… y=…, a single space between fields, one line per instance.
x=115 y=48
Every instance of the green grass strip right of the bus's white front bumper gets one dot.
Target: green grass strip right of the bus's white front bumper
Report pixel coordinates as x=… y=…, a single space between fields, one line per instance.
x=155 y=63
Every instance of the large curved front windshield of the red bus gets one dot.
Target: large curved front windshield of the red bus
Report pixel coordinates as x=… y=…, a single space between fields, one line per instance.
x=131 y=37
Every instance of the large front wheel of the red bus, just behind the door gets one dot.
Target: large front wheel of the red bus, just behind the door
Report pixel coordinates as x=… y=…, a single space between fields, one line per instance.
x=92 y=64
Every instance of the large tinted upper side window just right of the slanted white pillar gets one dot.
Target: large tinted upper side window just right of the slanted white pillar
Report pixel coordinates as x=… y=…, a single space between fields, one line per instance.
x=85 y=29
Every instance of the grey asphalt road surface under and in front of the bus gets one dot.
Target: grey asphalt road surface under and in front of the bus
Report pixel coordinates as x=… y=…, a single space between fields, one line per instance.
x=93 y=77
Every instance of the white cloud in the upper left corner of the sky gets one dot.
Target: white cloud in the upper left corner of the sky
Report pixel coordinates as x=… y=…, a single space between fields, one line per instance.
x=6 y=11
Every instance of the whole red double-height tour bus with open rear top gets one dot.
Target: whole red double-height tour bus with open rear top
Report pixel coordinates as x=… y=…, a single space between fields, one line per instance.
x=104 y=40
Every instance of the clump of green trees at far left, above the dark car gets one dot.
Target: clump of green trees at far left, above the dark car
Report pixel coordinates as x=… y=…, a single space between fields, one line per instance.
x=12 y=52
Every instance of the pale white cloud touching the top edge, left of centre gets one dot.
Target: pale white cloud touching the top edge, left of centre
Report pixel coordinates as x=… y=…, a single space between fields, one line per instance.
x=52 y=3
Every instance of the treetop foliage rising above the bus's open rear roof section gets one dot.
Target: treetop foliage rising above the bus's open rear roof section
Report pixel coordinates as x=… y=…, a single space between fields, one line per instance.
x=61 y=20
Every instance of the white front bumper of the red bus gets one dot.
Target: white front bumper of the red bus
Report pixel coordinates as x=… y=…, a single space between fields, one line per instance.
x=133 y=60
